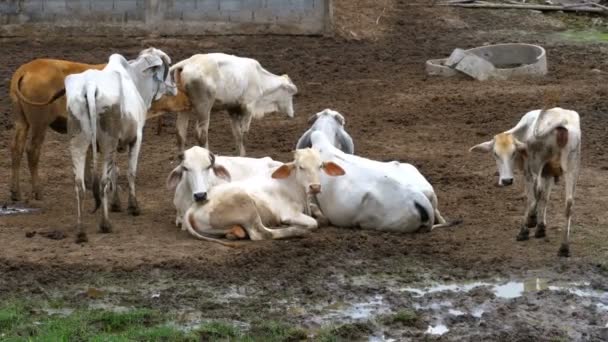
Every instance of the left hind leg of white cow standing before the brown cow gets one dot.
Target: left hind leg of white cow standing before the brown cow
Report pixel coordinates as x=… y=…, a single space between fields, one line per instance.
x=79 y=145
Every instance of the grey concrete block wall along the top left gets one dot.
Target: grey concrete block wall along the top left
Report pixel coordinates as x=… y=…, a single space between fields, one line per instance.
x=170 y=17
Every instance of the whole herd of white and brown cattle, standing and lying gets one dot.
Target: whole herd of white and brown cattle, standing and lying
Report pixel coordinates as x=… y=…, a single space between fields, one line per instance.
x=221 y=198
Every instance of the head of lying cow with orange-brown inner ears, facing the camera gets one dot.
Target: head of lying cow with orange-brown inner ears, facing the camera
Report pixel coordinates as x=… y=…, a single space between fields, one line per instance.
x=306 y=166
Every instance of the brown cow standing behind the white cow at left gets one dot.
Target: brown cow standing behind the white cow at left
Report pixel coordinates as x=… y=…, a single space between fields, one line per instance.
x=37 y=94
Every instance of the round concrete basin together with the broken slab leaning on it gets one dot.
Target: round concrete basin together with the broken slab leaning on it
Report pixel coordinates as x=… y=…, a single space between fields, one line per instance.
x=492 y=62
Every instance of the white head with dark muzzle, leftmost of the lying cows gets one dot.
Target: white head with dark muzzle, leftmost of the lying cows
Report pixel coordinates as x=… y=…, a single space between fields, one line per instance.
x=199 y=169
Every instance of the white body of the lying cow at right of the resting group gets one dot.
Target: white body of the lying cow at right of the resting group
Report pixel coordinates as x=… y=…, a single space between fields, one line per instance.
x=382 y=196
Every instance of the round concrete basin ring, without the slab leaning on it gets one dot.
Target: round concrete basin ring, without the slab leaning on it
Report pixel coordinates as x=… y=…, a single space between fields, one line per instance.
x=509 y=60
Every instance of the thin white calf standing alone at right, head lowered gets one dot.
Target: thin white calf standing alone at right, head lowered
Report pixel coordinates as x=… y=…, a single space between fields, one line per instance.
x=545 y=144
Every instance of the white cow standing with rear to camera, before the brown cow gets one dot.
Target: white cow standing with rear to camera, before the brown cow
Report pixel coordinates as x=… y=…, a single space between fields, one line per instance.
x=114 y=101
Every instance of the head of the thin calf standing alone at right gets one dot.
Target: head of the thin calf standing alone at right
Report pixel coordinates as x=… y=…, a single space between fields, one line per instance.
x=506 y=150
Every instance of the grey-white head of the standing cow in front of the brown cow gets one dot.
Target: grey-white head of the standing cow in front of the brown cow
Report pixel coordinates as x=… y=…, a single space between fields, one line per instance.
x=158 y=64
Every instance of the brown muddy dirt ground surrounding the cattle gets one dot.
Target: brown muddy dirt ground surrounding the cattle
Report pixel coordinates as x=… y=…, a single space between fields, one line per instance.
x=372 y=71
